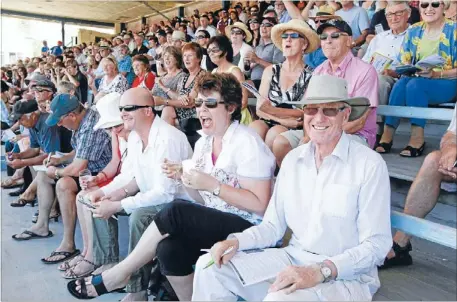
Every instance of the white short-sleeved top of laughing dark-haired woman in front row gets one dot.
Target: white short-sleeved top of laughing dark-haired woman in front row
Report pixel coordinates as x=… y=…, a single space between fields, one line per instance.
x=244 y=155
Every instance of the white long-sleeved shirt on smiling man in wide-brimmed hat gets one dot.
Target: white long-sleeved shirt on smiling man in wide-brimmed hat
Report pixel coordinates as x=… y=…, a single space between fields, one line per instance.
x=340 y=213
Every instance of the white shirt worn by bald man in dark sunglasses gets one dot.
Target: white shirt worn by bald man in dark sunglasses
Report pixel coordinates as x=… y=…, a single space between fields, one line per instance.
x=165 y=141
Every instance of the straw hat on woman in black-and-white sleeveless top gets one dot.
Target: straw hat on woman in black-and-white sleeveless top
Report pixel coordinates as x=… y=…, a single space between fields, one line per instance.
x=299 y=26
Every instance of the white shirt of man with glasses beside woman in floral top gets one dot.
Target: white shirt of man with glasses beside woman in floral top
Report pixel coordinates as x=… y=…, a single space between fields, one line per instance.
x=386 y=44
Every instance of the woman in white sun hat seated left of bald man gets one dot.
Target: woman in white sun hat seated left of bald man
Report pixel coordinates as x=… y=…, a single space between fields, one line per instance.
x=110 y=120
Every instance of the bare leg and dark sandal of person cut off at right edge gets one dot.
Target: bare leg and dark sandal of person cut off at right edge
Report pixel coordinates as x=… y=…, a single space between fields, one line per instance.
x=423 y=195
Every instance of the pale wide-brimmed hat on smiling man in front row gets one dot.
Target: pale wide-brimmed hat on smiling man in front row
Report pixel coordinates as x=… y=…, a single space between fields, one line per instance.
x=324 y=89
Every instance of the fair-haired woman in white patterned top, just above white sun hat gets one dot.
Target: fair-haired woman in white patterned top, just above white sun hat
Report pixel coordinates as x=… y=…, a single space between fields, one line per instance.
x=112 y=81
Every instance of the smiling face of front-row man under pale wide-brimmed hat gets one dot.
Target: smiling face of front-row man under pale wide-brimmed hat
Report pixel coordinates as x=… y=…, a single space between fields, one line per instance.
x=324 y=122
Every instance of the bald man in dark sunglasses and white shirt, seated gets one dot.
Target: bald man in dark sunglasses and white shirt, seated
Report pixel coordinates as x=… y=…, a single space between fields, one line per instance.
x=143 y=192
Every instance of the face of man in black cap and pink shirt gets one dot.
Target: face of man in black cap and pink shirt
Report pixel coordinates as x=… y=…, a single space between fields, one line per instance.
x=335 y=48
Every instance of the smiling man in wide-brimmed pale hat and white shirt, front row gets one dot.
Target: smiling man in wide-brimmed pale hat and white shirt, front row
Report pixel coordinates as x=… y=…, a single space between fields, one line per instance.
x=334 y=195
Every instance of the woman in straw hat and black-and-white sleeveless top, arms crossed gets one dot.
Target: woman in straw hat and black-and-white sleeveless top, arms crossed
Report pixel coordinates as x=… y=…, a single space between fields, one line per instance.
x=285 y=82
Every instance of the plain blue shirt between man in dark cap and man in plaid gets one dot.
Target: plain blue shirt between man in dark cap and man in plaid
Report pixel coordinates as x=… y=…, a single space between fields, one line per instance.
x=44 y=137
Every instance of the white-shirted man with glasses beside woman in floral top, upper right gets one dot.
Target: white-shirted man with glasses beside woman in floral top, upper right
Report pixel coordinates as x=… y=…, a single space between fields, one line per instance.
x=388 y=44
